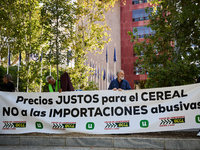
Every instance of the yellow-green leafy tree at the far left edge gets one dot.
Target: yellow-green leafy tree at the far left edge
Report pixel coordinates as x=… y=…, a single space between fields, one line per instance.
x=20 y=32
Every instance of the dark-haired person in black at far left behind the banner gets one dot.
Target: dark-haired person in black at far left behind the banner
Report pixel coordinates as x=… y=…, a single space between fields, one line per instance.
x=8 y=85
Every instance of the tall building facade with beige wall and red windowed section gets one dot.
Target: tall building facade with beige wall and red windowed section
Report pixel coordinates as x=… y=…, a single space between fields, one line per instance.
x=121 y=19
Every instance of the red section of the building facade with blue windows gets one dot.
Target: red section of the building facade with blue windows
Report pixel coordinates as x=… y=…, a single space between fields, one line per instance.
x=132 y=16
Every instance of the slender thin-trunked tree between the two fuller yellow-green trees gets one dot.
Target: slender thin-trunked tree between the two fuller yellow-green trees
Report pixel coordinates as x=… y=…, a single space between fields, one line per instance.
x=58 y=20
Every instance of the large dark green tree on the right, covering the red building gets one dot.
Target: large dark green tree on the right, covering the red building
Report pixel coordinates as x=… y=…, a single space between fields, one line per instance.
x=172 y=51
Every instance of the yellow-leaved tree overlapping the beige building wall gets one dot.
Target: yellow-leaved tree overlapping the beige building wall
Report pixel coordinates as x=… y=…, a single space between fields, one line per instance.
x=90 y=35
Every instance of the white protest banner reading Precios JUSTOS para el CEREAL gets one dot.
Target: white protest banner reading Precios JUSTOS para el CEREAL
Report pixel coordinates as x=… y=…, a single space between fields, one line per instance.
x=101 y=112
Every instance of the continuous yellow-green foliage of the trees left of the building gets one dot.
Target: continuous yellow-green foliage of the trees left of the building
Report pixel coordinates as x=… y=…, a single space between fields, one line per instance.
x=62 y=30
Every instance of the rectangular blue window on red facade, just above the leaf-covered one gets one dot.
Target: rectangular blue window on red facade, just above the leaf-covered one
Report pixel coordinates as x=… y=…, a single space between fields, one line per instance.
x=140 y=15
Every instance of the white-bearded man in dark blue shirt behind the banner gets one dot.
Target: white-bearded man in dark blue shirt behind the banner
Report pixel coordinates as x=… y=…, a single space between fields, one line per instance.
x=119 y=83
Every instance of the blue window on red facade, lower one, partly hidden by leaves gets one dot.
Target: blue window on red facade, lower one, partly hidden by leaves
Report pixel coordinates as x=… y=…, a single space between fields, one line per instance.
x=142 y=31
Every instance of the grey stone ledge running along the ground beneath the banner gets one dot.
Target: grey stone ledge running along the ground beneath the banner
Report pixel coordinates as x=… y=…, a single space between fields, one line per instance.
x=157 y=140
